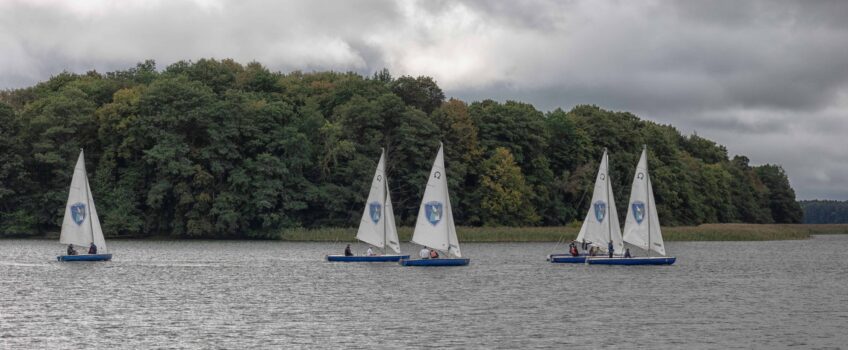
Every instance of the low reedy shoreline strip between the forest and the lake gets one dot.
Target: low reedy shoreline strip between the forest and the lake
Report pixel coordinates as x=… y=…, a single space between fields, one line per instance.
x=706 y=232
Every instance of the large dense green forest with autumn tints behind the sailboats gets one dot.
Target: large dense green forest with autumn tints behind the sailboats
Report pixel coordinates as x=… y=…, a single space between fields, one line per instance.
x=218 y=149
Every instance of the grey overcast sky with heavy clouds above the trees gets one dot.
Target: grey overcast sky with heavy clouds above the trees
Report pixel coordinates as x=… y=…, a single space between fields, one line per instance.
x=768 y=79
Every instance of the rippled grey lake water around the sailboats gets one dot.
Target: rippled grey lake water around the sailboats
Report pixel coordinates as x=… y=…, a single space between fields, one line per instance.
x=232 y=294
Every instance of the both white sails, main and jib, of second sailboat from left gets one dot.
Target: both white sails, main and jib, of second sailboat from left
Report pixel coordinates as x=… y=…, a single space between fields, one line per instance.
x=377 y=226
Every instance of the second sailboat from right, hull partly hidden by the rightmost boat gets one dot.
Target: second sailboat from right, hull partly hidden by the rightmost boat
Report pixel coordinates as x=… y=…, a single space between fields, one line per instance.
x=601 y=223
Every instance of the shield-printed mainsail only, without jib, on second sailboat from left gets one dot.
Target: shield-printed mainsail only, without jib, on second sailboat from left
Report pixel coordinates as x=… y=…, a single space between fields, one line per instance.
x=372 y=227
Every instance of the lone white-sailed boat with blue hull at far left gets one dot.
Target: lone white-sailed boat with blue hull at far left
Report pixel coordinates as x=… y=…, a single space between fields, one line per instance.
x=81 y=227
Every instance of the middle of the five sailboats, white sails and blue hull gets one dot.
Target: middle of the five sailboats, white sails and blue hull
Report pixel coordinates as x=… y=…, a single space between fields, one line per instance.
x=435 y=227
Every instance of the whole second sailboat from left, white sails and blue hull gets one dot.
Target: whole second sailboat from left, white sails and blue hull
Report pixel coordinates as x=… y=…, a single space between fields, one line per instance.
x=377 y=226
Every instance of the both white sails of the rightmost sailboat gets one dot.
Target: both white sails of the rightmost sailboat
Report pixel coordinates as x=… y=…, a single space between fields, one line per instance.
x=642 y=226
